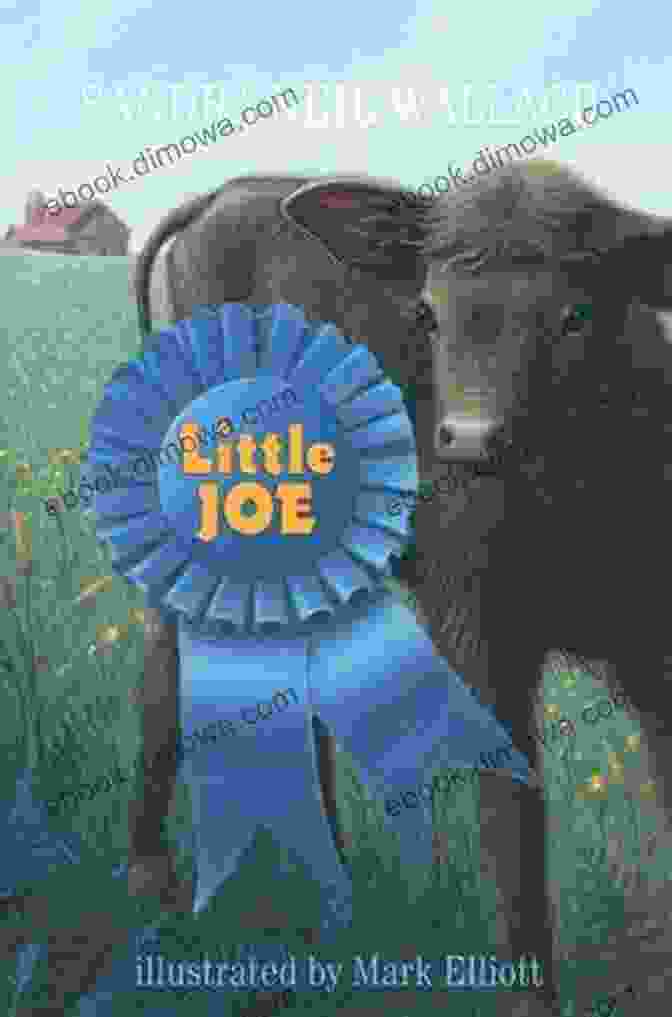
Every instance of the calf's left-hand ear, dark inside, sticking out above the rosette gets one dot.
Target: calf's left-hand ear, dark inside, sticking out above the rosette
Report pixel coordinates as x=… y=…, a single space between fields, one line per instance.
x=369 y=225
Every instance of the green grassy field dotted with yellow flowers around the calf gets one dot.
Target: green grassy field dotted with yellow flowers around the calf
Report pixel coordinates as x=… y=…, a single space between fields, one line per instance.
x=70 y=668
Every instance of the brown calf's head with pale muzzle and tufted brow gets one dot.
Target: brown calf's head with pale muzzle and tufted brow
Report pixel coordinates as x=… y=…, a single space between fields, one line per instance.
x=539 y=285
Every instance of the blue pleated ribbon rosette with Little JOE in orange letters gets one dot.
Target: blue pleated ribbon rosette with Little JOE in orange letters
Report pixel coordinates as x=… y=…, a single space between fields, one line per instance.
x=261 y=523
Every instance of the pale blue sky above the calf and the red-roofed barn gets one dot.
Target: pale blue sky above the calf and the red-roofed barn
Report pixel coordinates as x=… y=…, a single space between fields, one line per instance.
x=77 y=79
